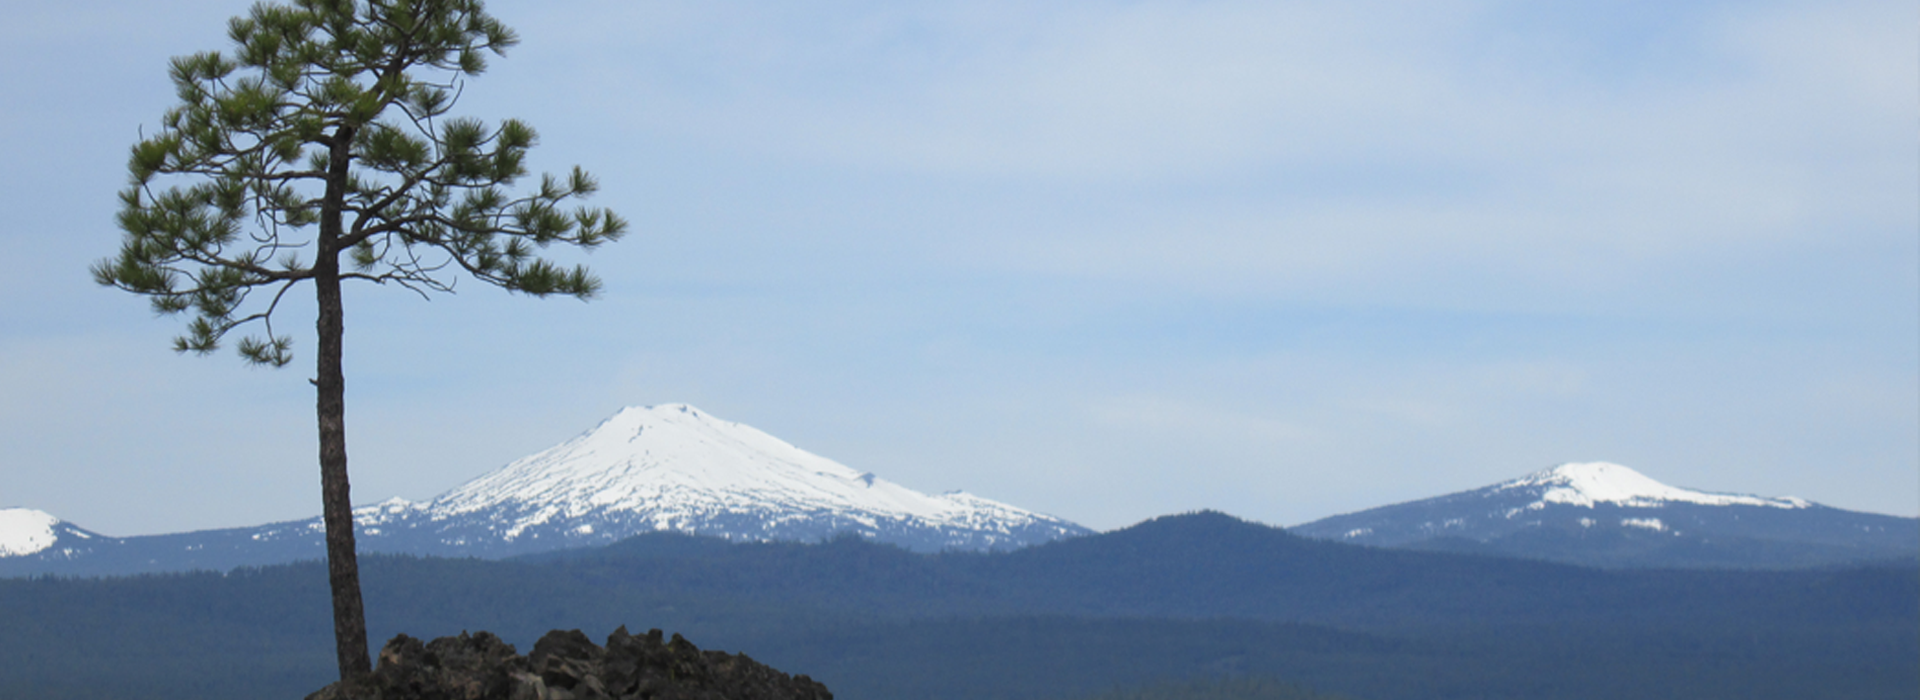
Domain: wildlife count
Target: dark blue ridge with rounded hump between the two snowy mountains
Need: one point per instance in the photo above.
(1211, 565)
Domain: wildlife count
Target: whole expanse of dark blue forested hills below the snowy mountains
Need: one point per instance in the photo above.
(1164, 603)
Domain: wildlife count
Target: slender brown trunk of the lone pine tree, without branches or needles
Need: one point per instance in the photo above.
(331, 385)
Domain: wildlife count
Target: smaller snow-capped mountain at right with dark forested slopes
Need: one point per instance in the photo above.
(1608, 515)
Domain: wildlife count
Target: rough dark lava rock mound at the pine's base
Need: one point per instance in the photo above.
(569, 666)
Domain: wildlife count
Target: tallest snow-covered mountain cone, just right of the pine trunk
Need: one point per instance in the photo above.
(673, 467)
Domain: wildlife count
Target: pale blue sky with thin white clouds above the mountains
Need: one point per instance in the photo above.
(1103, 260)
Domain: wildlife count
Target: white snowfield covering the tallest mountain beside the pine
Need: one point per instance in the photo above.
(679, 467)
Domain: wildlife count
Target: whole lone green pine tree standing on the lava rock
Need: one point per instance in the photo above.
(325, 137)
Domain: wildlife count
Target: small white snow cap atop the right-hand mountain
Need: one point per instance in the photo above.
(1587, 484)
